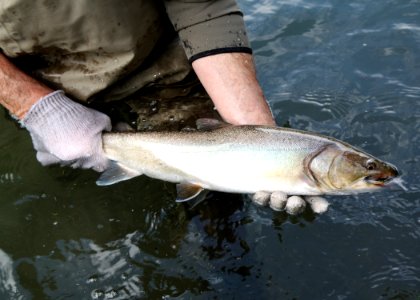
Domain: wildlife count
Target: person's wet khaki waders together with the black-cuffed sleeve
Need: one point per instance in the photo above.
(110, 49)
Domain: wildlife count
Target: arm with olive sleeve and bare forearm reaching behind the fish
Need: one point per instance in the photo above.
(215, 42)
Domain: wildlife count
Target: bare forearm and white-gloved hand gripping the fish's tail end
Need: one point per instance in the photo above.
(62, 130)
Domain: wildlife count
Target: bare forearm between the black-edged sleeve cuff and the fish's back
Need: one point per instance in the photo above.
(230, 80)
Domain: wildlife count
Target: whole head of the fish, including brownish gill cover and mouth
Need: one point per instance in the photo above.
(344, 170)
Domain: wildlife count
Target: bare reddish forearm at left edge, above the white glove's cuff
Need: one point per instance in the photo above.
(18, 91)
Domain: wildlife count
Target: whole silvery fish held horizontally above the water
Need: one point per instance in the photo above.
(244, 159)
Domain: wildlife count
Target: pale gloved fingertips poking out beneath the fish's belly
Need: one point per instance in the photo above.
(293, 205)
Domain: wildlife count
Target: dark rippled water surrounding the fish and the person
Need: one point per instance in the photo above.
(349, 69)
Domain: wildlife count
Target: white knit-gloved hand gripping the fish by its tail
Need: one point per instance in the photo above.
(66, 132)
